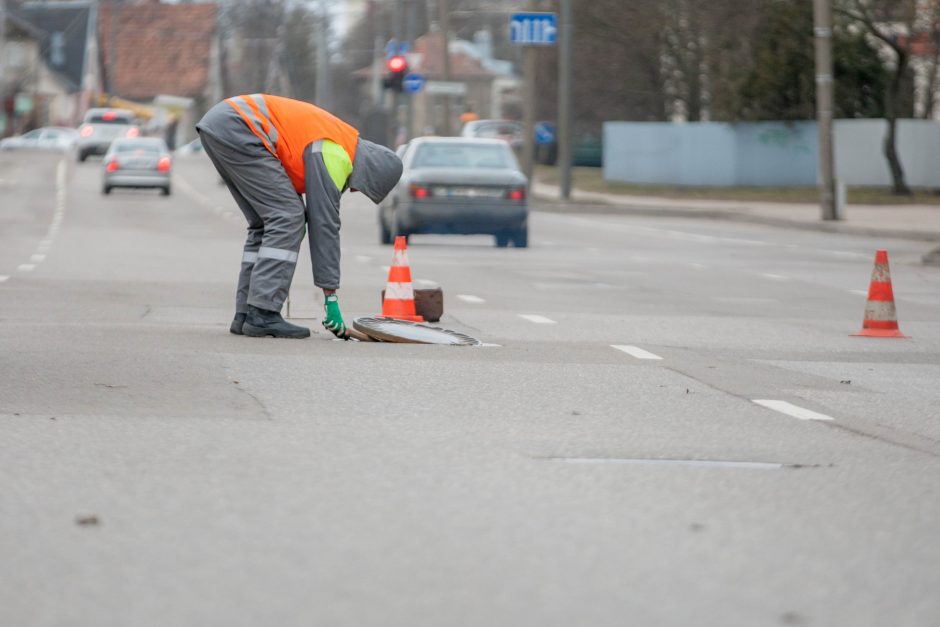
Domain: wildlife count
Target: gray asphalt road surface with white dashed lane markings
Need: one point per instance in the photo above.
(608, 463)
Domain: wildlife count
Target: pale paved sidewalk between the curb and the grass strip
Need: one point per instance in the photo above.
(916, 222)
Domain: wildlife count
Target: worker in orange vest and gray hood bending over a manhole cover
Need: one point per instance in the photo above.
(269, 150)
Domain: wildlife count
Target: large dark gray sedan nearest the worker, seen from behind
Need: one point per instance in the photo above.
(458, 185)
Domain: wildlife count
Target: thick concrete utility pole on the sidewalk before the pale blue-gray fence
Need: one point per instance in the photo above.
(822, 22)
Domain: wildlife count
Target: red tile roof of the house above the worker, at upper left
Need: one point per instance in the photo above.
(161, 48)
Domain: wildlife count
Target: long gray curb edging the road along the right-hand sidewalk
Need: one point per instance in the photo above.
(553, 205)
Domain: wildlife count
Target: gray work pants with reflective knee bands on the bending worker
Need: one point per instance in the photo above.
(275, 214)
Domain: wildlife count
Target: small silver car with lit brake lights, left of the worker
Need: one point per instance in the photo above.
(139, 162)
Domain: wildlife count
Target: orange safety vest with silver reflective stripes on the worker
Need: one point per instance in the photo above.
(286, 127)
